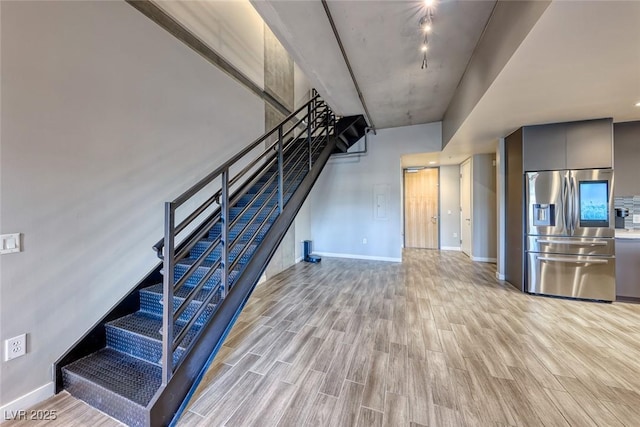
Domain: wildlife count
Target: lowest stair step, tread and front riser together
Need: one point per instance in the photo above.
(115, 383)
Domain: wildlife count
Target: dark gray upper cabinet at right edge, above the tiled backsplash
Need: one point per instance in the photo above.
(626, 158)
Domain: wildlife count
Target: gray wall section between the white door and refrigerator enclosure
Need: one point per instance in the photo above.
(483, 199)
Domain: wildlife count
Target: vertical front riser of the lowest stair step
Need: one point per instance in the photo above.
(111, 403)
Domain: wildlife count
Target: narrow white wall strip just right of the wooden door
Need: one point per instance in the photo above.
(450, 207)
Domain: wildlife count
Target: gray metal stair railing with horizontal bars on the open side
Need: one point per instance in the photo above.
(316, 122)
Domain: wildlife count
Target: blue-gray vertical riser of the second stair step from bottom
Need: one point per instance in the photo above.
(136, 345)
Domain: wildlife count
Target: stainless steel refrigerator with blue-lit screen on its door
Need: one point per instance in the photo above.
(570, 234)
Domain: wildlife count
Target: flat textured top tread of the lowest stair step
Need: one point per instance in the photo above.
(127, 376)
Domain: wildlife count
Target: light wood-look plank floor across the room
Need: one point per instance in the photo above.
(434, 341)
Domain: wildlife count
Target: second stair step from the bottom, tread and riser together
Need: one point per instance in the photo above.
(138, 335)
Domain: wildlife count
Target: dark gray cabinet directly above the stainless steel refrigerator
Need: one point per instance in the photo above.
(574, 145)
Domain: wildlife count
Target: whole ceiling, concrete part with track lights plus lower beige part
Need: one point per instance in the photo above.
(580, 60)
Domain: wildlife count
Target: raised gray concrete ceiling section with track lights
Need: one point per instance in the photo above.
(382, 40)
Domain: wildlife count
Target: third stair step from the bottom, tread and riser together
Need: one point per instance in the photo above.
(151, 301)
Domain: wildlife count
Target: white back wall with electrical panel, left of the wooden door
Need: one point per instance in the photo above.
(342, 201)
